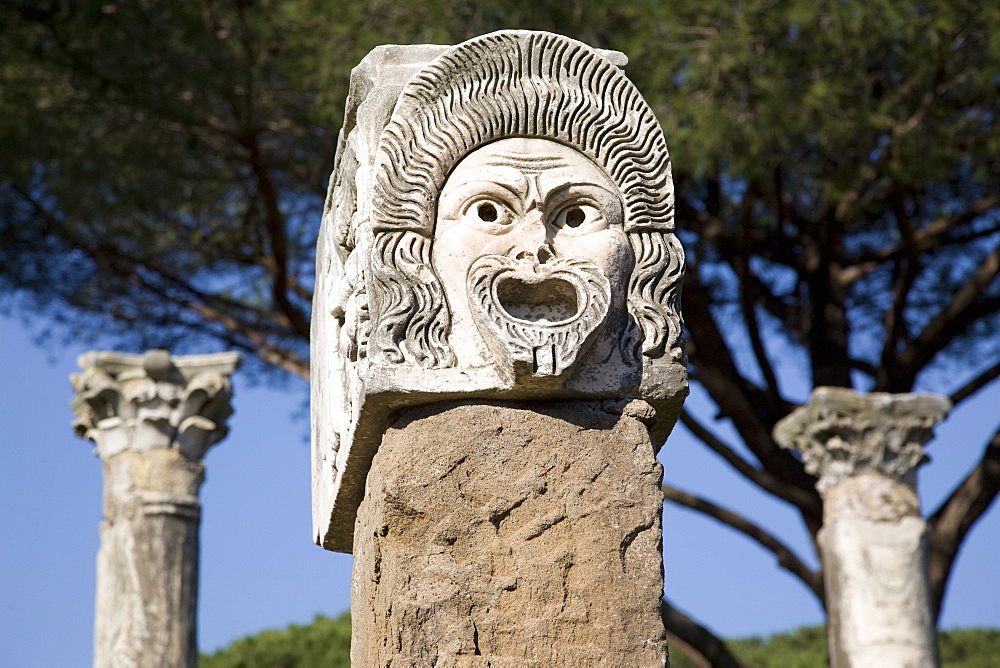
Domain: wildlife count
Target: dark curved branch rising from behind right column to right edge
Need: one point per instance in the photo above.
(953, 520)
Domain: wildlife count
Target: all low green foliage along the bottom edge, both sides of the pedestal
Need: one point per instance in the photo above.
(327, 643)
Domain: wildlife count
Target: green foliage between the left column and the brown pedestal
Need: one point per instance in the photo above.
(326, 642)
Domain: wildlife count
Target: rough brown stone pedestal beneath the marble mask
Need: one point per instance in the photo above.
(511, 535)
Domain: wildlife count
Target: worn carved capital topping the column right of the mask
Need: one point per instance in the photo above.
(842, 433)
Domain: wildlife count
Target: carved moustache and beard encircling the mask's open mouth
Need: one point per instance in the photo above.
(537, 318)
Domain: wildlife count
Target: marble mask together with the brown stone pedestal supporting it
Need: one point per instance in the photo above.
(499, 233)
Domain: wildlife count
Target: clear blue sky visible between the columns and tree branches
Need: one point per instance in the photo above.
(260, 569)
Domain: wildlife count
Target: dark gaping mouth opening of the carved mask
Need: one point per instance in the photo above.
(543, 301)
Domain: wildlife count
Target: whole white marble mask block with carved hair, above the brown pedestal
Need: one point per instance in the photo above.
(499, 225)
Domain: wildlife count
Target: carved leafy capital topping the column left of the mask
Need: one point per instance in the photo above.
(153, 400)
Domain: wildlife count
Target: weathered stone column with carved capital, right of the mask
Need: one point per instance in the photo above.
(866, 450)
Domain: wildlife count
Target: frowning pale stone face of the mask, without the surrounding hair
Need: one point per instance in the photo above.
(531, 251)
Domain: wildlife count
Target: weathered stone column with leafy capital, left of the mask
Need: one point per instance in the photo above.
(152, 418)
